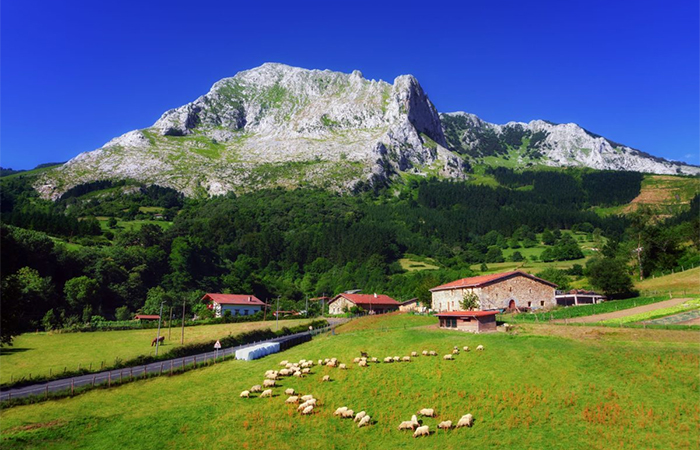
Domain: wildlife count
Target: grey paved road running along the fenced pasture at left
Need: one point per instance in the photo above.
(166, 366)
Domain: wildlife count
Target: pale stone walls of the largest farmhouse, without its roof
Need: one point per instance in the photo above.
(523, 290)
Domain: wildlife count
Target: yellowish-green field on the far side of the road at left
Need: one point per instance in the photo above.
(45, 353)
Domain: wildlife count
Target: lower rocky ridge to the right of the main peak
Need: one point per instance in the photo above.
(544, 143)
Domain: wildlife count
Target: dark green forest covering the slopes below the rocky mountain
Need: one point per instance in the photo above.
(70, 262)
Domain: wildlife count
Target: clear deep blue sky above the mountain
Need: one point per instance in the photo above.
(75, 74)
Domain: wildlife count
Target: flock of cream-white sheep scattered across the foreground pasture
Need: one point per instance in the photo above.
(307, 403)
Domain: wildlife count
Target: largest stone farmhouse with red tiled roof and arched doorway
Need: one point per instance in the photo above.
(509, 290)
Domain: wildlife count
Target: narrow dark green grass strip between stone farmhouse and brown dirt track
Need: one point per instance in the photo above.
(582, 310)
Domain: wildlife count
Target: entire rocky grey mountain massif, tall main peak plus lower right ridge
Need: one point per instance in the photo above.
(277, 125)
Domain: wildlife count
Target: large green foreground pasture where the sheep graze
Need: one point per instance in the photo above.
(528, 390)
